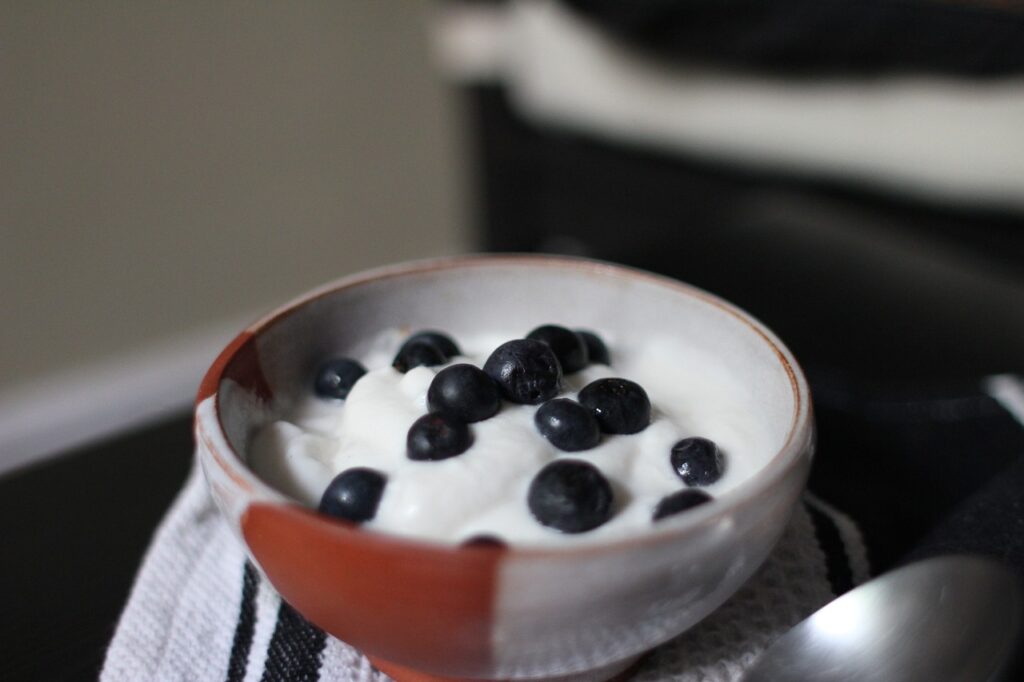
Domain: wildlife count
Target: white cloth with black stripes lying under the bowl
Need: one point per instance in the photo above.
(200, 611)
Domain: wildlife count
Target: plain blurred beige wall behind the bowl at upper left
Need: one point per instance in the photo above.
(164, 167)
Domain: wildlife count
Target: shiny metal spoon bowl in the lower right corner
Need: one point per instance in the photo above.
(943, 620)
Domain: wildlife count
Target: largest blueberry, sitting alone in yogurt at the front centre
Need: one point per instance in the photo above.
(571, 496)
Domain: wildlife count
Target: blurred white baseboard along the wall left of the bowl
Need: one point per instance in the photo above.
(74, 408)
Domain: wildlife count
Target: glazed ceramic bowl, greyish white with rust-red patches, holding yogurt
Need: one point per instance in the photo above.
(422, 610)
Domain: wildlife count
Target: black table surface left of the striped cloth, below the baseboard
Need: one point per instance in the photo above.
(75, 529)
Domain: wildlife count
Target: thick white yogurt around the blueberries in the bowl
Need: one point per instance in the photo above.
(484, 491)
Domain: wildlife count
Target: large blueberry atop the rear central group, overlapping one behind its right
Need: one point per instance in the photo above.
(527, 371)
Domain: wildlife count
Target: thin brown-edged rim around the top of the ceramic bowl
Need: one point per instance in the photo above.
(799, 441)
